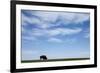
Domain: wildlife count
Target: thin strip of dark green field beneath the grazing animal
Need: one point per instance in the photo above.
(51, 60)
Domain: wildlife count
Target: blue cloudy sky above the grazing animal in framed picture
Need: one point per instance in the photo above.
(55, 34)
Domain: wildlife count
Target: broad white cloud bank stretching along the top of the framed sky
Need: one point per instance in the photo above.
(46, 17)
